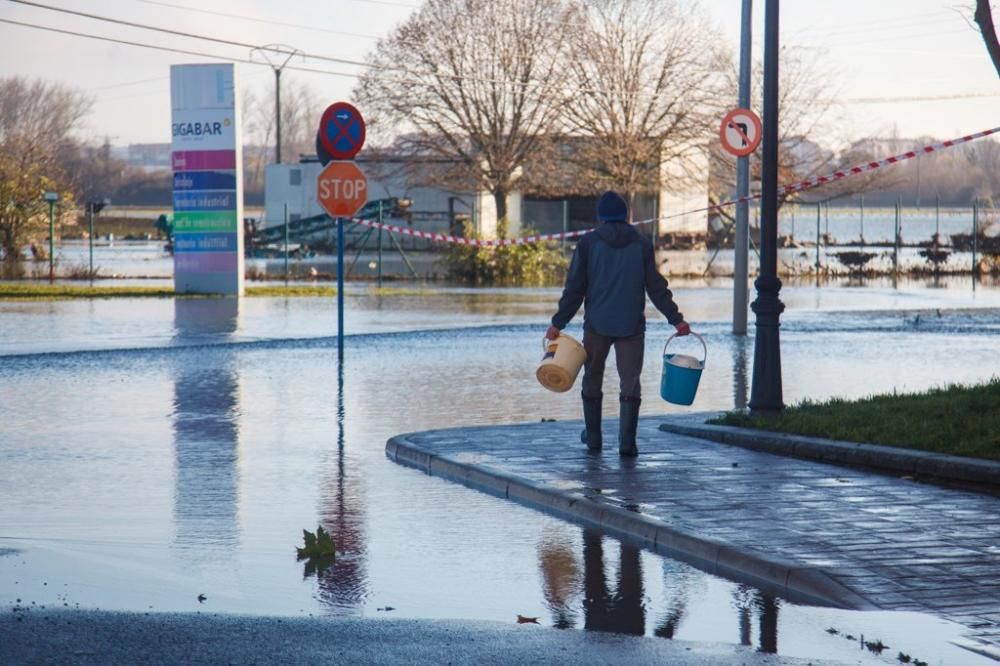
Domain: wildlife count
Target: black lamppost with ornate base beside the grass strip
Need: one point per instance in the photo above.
(766, 394)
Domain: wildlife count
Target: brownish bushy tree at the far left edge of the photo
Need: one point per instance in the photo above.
(36, 121)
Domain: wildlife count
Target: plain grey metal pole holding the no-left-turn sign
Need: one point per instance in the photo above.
(741, 269)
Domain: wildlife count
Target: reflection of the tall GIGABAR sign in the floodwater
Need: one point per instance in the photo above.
(206, 430)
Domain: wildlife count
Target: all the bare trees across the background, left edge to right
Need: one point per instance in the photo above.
(548, 96)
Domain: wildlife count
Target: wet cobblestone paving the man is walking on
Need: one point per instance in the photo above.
(902, 544)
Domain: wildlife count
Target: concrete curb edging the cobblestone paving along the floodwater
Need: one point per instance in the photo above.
(799, 583)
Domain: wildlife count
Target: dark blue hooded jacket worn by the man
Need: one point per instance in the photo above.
(613, 269)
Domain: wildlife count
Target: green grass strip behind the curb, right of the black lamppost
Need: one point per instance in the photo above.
(959, 420)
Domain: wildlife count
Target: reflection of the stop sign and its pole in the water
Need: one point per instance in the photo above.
(344, 586)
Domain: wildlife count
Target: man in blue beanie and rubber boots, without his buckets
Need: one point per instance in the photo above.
(612, 270)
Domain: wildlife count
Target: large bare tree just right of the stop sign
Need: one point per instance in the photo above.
(479, 83)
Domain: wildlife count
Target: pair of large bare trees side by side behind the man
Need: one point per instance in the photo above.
(505, 89)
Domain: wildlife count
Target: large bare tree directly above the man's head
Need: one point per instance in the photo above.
(648, 70)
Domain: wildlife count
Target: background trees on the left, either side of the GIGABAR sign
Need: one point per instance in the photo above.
(41, 150)
